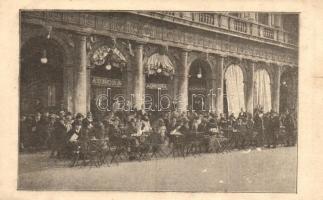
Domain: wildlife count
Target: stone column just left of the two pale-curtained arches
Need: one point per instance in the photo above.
(219, 92)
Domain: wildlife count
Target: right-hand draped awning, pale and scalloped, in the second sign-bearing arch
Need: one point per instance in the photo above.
(158, 63)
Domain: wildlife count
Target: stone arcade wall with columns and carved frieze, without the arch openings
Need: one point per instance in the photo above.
(138, 38)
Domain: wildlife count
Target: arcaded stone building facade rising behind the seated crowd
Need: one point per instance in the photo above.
(215, 61)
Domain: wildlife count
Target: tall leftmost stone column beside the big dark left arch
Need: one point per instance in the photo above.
(80, 86)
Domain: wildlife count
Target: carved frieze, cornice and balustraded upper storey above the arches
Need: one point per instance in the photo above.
(218, 33)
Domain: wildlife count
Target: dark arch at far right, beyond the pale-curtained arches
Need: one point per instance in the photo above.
(288, 91)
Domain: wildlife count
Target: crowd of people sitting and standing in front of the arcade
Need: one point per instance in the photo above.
(54, 131)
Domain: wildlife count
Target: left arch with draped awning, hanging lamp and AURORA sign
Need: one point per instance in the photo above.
(107, 80)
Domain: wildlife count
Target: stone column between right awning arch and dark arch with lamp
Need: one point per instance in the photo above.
(183, 82)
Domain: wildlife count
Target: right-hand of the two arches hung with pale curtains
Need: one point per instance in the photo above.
(262, 90)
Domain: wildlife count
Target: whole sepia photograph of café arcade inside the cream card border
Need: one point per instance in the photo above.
(158, 101)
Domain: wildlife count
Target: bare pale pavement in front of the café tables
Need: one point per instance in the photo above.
(268, 170)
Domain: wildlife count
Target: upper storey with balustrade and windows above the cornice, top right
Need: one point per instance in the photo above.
(275, 28)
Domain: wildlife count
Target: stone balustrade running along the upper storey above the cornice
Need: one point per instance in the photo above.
(223, 21)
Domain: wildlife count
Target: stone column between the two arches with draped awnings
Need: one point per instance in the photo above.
(139, 81)
